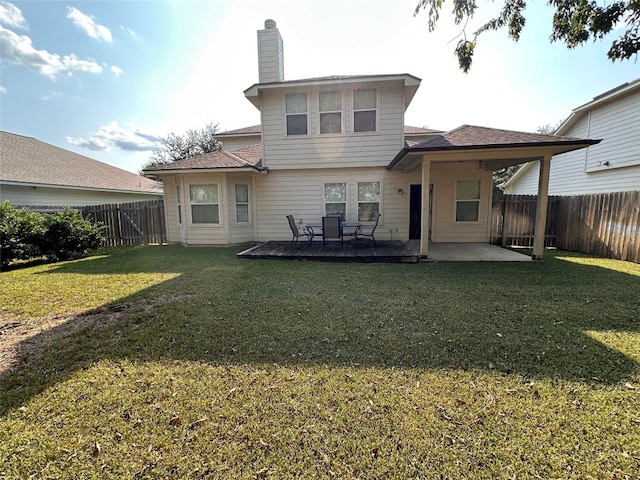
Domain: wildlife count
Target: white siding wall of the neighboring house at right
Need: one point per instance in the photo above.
(584, 171)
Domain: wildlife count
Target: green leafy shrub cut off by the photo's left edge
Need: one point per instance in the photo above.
(20, 233)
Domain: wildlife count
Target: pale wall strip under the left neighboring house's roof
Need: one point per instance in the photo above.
(66, 197)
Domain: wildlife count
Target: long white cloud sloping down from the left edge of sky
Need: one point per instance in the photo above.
(18, 49)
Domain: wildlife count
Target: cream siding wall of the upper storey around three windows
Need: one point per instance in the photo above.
(331, 150)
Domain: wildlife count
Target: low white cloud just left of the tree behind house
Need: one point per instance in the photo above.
(128, 138)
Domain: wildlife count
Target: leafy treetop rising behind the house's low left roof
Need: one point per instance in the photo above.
(178, 147)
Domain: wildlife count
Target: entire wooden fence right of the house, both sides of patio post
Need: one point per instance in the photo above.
(604, 225)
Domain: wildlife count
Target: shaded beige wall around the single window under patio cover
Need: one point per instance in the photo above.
(444, 228)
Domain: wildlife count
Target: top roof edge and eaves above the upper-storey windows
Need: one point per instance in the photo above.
(410, 82)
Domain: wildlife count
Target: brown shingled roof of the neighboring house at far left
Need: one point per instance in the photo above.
(28, 161)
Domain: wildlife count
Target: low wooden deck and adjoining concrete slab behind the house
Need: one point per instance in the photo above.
(383, 252)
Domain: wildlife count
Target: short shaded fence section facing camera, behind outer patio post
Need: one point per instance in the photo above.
(514, 217)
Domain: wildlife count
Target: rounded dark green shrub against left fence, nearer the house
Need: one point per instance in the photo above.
(68, 233)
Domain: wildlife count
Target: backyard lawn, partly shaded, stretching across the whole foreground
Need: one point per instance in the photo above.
(200, 365)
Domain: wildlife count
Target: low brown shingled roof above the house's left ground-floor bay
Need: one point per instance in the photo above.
(249, 158)
